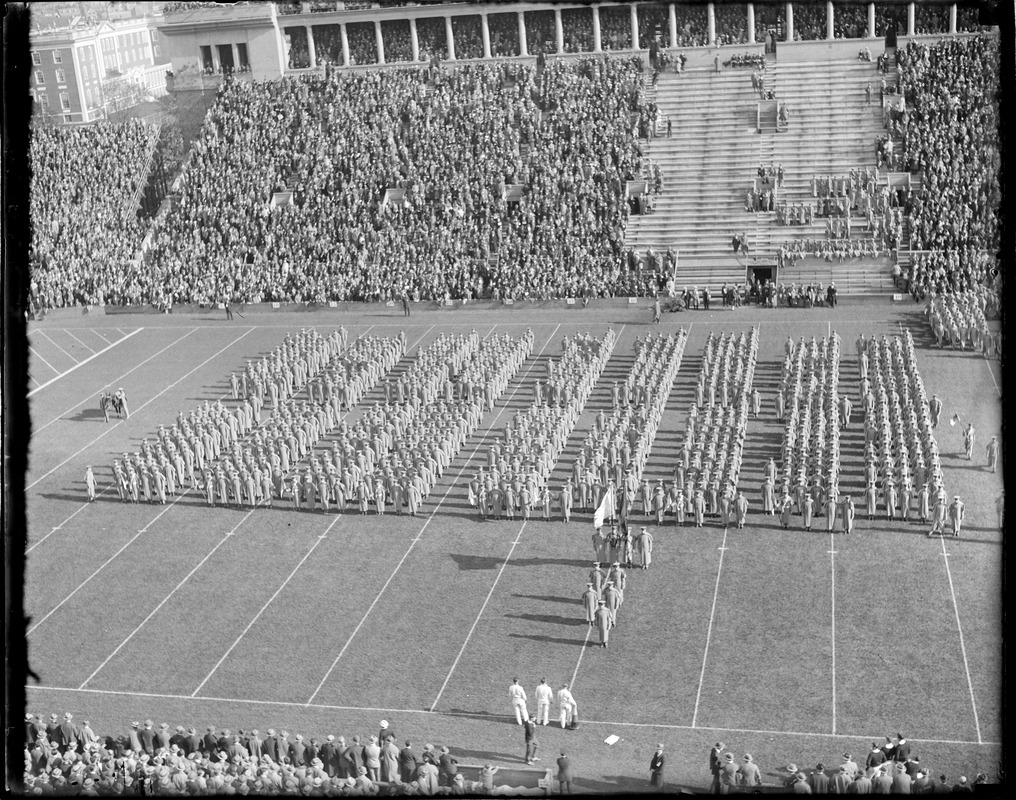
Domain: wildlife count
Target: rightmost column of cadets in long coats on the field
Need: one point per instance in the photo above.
(902, 456)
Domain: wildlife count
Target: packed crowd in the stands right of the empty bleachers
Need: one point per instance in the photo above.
(950, 135)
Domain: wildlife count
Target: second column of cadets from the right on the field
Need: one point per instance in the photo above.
(813, 413)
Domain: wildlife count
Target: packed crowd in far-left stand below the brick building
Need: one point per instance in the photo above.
(85, 235)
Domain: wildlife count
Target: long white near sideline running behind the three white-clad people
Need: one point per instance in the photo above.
(389, 710)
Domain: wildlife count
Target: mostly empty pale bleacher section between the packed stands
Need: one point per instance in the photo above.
(715, 153)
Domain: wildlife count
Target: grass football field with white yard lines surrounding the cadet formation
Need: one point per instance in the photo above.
(791, 646)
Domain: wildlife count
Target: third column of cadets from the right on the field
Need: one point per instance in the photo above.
(716, 429)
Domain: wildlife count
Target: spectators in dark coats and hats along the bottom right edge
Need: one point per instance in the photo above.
(891, 768)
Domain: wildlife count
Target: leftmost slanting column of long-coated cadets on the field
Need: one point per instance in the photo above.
(200, 440)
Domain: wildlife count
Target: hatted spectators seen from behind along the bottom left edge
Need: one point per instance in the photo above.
(63, 758)
